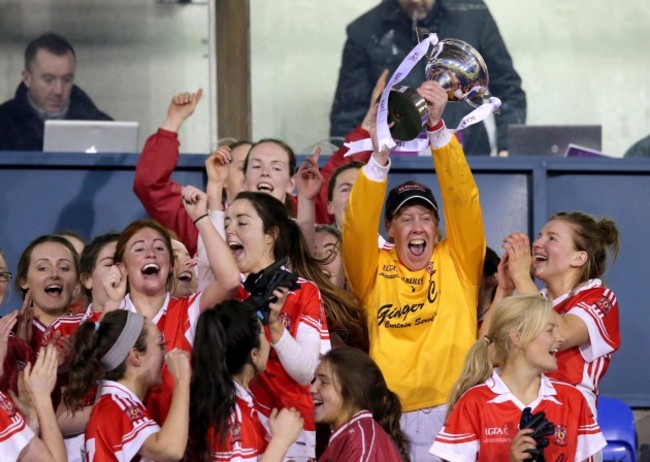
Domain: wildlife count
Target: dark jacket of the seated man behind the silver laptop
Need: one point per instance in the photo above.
(21, 129)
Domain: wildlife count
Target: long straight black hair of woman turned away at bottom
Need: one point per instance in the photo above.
(225, 337)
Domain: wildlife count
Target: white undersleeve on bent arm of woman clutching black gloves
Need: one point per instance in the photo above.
(299, 356)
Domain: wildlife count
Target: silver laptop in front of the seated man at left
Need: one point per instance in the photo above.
(90, 136)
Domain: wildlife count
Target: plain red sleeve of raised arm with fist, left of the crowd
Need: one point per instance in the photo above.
(159, 194)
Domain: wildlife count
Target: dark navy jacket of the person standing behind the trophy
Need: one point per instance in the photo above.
(382, 37)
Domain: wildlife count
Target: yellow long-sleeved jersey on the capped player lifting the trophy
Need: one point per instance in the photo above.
(421, 323)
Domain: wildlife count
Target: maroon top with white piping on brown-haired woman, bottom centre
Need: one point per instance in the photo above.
(361, 439)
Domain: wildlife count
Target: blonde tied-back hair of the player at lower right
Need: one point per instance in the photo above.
(525, 315)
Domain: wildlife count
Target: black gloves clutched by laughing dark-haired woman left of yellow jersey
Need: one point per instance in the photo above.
(261, 285)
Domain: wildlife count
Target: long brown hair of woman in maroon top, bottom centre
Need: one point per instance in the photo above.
(362, 386)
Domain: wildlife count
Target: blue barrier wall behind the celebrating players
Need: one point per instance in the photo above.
(93, 194)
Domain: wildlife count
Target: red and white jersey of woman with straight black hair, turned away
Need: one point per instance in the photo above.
(246, 438)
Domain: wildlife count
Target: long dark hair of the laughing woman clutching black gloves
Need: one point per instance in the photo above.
(341, 307)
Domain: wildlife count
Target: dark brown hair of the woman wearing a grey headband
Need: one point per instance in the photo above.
(91, 343)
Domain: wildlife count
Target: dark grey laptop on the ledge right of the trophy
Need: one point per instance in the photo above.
(551, 140)
